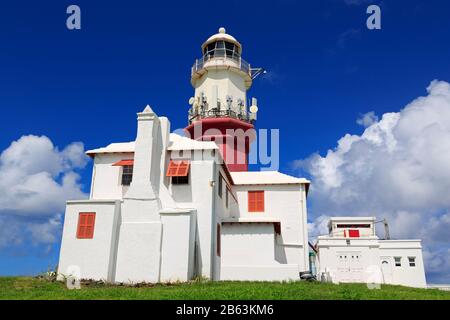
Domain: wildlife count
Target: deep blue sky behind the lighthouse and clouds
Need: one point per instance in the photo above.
(325, 70)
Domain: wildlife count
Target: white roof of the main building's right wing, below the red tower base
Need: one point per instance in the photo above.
(265, 177)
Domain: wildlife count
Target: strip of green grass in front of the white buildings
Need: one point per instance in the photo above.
(20, 288)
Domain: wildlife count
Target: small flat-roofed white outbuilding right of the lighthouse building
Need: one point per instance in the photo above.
(353, 253)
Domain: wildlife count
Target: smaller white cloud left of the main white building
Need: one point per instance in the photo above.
(35, 181)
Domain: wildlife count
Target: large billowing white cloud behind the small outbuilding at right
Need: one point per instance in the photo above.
(399, 168)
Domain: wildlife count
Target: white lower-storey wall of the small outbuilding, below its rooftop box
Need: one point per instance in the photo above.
(361, 260)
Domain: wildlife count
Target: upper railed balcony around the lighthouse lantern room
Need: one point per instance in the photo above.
(220, 58)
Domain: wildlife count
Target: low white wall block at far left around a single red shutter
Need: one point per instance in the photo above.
(94, 257)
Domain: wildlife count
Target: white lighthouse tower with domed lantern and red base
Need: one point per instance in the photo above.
(220, 110)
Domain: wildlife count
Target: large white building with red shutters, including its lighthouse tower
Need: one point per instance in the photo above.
(166, 207)
